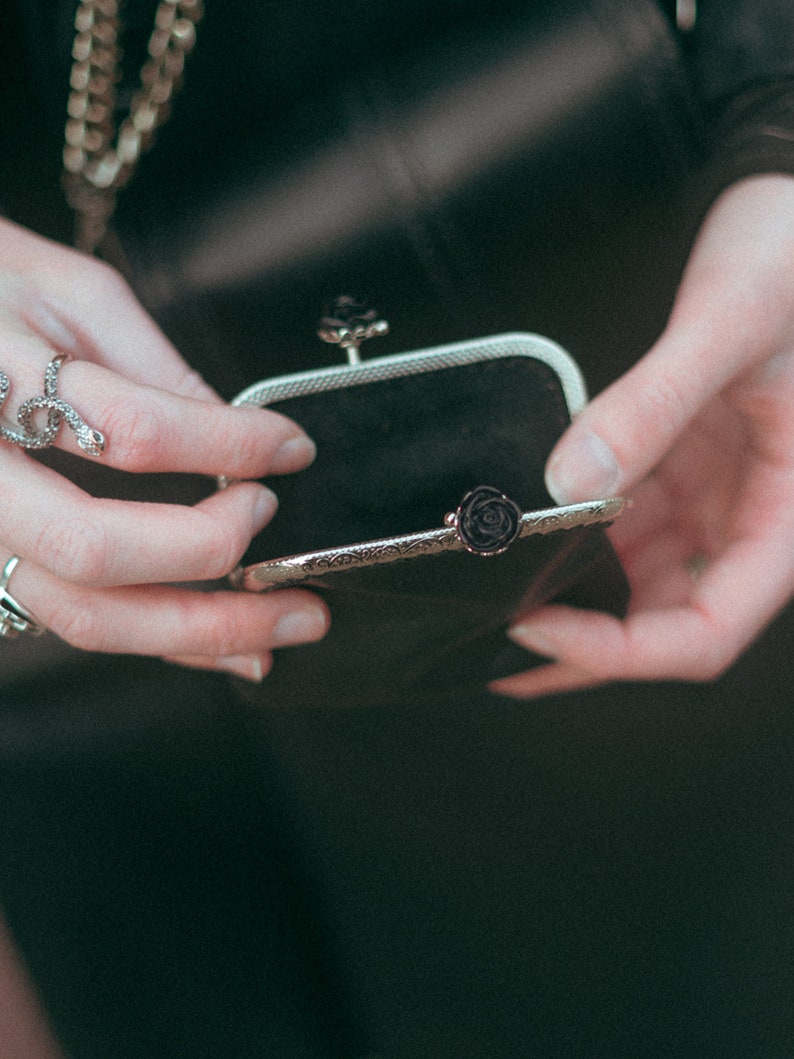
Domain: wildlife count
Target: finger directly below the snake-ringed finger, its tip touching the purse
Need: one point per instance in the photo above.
(89, 541)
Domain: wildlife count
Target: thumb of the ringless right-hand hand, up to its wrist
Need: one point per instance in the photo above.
(735, 310)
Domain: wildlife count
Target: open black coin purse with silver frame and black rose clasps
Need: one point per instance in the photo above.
(425, 523)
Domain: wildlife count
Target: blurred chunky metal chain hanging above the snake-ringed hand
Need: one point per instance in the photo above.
(99, 161)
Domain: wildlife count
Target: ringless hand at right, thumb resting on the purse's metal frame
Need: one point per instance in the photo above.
(701, 432)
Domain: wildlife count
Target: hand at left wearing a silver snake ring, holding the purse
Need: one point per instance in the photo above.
(97, 571)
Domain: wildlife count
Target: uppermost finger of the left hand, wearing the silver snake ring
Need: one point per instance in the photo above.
(149, 429)
